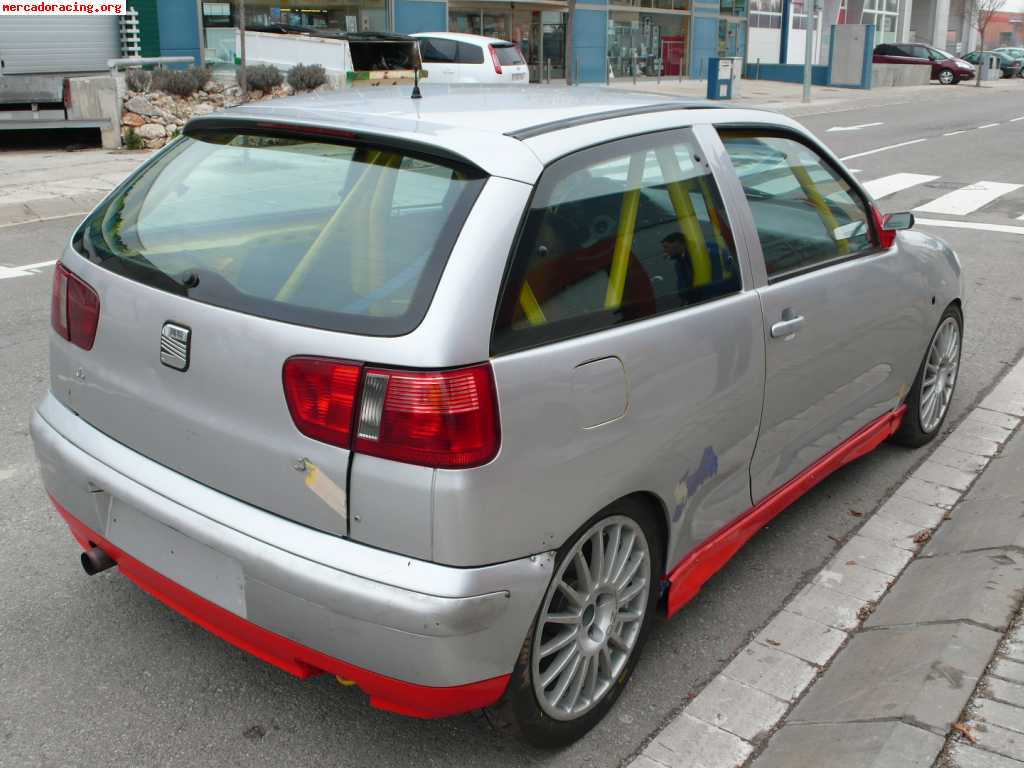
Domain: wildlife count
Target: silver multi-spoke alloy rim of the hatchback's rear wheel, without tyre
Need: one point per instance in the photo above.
(591, 618)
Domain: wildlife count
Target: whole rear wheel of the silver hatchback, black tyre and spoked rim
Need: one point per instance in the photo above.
(561, 720)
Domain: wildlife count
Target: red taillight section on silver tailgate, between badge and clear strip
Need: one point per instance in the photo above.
(321, 395)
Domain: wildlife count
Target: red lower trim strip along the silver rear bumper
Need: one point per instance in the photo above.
(386, 693)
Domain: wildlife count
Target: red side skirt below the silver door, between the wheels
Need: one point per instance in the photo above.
(694, 571)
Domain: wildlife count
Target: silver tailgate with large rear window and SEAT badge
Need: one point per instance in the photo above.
(233, 251)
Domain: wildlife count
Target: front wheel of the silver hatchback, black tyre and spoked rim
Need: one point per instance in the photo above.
(921, 424)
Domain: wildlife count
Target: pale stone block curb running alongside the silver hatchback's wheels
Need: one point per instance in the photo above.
(738, 713)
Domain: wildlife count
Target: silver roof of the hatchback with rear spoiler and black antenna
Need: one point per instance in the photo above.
(509, 132)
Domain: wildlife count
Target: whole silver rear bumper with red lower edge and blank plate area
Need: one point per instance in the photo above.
(419, 638)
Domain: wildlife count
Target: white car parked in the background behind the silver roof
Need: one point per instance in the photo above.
(457, 58)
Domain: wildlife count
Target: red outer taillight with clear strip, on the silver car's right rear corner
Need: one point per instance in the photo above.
(446, 419)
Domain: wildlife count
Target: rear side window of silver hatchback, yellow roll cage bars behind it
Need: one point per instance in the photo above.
(617, 234)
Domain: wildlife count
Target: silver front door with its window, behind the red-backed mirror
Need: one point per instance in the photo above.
(841, 321)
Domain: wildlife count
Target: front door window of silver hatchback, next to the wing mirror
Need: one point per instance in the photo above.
(805, 212)
